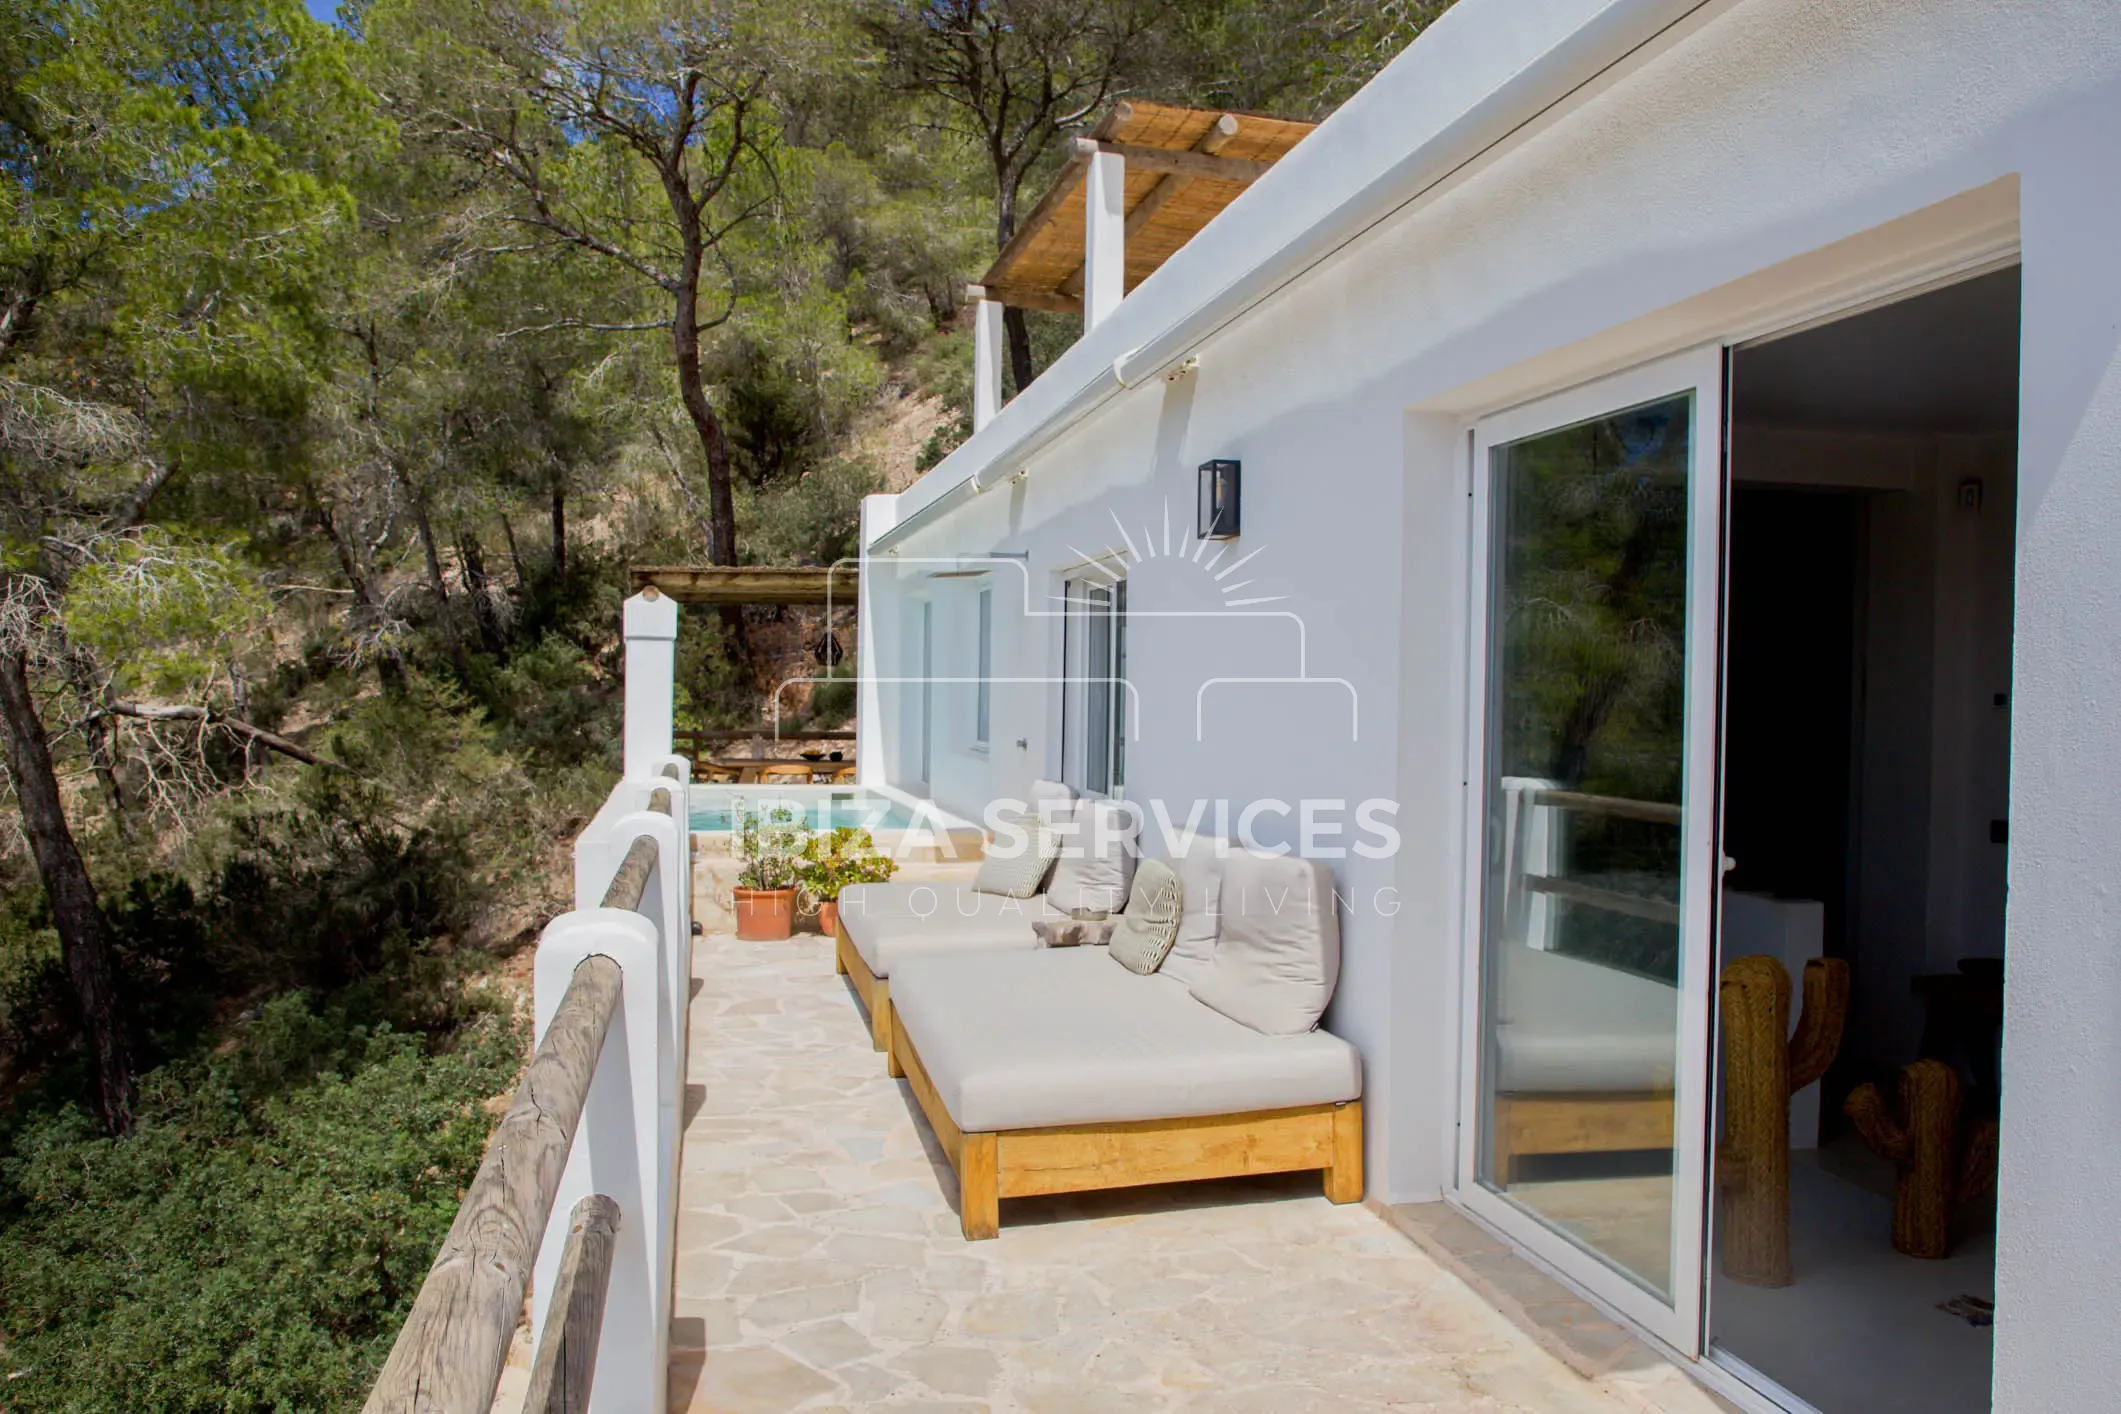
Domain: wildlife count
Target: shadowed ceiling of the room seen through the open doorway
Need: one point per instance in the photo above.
(1938, 364)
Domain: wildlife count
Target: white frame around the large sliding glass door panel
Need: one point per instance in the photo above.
(1700, 372)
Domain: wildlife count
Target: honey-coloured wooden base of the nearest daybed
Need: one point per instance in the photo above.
(1091, 1156)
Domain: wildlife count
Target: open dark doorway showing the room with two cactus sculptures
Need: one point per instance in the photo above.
(1868, 654)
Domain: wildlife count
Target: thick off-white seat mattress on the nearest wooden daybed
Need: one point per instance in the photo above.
(1036, 1040)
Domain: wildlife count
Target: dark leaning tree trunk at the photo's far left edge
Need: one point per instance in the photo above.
(84, 934)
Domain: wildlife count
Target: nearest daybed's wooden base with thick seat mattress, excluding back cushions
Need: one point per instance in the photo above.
(1059, 1072)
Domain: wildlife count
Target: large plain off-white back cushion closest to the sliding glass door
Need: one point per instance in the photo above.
(1280, 951)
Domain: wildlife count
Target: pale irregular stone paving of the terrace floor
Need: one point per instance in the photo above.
(822, 1267)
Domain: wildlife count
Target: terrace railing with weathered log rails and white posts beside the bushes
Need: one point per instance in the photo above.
(595, 1114)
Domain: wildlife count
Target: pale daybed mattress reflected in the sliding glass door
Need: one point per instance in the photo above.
(1573, 1027)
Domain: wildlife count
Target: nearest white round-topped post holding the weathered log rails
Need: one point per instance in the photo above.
(618, 1152)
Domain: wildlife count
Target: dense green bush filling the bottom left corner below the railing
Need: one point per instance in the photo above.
(260, 1237)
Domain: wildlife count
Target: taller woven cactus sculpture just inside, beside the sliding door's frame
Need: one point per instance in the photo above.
(1764, 1067)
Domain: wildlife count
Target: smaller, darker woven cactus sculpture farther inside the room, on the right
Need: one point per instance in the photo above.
(1938, 1176)
